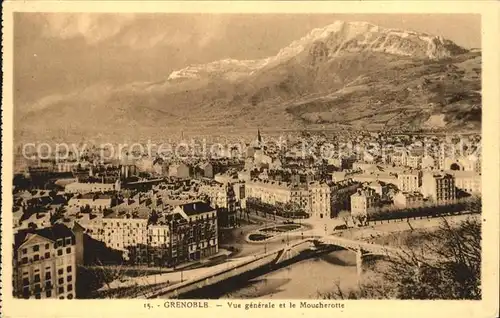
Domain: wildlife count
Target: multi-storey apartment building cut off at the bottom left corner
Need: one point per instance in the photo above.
(45, 263)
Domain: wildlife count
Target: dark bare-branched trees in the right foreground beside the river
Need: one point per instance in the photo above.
(446, 266)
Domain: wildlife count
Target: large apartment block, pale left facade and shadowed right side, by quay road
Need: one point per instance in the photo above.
(188, 232)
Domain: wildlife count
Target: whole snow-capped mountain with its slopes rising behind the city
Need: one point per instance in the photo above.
(345, 75)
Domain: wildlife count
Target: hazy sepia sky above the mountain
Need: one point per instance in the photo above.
(62, 53)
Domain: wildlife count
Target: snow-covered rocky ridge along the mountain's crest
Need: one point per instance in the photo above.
(340, 37)
